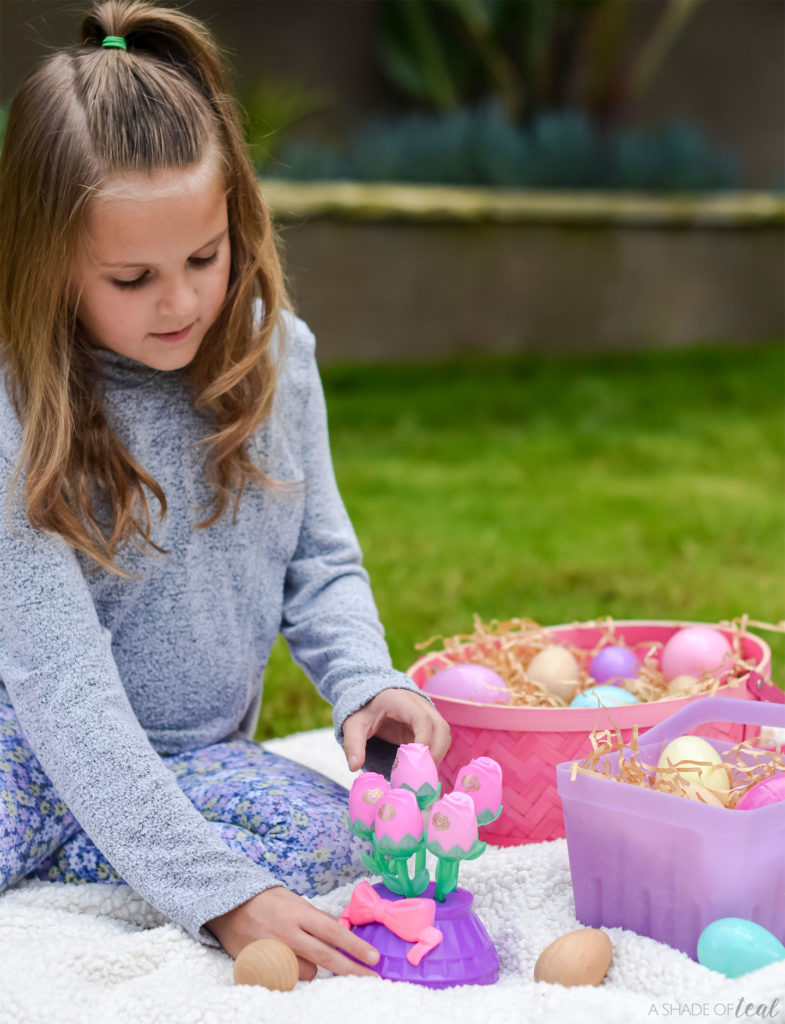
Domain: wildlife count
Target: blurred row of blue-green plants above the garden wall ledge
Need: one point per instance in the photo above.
(481, 146)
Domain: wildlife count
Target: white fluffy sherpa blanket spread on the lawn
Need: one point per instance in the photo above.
(99, 955)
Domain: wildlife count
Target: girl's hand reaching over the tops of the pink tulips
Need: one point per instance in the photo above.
(401, 717)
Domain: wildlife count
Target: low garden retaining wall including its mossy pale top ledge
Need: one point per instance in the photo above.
(384, 273)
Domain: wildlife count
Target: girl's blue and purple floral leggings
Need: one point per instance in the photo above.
(275, 812)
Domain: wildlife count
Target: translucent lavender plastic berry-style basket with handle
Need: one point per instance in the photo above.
(668, 868)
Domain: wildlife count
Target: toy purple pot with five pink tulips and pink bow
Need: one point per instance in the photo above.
(449, 938)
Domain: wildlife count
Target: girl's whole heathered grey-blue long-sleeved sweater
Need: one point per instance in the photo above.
(106, 674)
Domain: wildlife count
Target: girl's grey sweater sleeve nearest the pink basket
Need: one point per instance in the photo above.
(330, 619)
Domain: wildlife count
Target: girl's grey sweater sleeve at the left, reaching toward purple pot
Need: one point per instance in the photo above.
(58, 667)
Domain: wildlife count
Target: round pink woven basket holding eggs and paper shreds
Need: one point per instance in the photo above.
(530, 743)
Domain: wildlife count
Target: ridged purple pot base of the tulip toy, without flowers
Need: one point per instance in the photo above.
(465, 957)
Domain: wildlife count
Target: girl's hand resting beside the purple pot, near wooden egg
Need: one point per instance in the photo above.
(316, 937)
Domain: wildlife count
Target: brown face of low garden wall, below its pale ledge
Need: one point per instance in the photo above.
(407, 291)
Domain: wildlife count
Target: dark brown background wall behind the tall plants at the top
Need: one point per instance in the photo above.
(726, 72)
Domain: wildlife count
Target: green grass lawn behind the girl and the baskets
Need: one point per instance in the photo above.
(635, 486)
